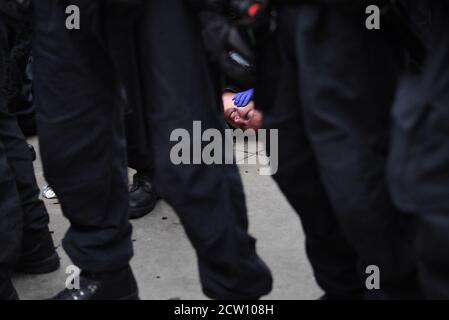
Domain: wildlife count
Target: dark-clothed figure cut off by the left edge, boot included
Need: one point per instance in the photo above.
(25, 242)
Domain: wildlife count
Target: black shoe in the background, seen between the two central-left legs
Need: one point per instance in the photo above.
(142, 198)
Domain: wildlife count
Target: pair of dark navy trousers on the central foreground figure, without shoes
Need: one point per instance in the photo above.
(82, 138)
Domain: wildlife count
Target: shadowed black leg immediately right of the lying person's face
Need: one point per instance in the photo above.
(333, 261)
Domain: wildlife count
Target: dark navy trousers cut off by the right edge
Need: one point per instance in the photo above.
(419, 162)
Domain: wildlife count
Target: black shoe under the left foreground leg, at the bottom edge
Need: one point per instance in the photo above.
(120, 285)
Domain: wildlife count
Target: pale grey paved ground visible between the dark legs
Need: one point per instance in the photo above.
(164, 261)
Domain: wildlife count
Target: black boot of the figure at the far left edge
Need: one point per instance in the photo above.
(38, 254)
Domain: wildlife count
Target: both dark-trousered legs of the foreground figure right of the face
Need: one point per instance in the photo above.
(336, 82)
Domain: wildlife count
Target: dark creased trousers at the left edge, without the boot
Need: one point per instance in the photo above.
(21, 211)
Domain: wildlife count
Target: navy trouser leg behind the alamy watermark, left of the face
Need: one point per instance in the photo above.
(208, 198)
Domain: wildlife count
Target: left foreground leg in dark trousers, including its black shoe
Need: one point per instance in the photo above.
(83, 147)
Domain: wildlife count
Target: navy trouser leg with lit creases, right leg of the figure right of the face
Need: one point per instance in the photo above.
(344, 78)
